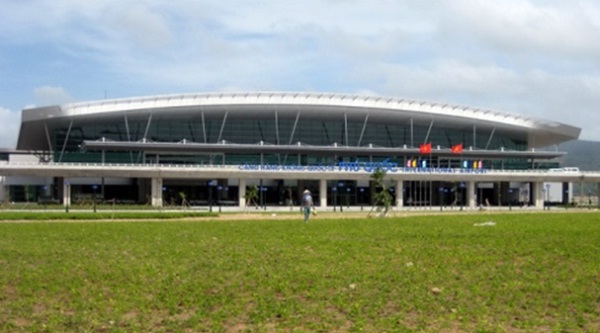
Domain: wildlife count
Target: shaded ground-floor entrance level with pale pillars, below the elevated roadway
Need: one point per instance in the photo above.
(338, 194)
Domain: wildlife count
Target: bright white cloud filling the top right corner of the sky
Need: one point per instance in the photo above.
(528, 28)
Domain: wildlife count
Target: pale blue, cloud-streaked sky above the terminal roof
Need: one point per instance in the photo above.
(536, 58)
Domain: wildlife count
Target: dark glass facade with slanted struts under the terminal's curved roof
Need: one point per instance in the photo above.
(277, 128)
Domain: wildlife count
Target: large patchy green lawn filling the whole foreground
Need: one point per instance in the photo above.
(528, 273)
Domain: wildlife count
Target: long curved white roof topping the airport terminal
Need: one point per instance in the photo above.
(540, 133)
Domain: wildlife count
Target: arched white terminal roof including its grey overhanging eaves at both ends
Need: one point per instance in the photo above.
(37, 123)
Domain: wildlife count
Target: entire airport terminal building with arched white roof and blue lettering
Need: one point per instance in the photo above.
(210, 148)
